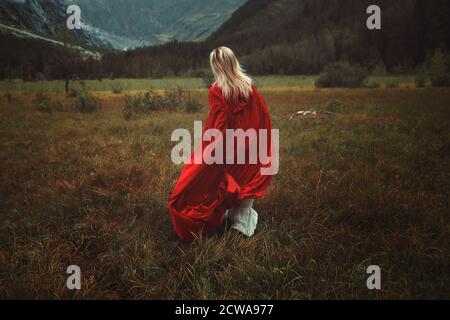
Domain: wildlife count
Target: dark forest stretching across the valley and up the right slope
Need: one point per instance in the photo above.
(270, 37)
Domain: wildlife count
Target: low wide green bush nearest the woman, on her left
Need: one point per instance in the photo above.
(145, 103)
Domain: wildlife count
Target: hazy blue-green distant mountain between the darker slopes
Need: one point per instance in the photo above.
(183, 20)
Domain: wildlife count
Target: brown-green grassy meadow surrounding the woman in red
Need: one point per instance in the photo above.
(367, 185)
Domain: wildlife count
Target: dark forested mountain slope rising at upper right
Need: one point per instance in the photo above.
(303, 35)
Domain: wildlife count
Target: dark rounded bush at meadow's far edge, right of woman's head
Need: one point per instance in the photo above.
(342, 74)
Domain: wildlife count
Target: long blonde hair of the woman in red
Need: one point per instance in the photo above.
(229, 74)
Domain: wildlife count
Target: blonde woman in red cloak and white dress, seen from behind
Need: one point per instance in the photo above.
(206, 195)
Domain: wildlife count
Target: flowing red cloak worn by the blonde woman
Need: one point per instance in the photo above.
(204, 192)
